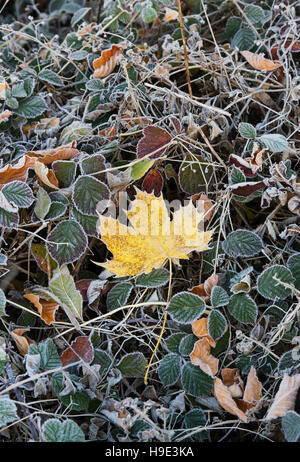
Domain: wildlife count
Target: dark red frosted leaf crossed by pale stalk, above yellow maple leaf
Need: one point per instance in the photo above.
(154, 139)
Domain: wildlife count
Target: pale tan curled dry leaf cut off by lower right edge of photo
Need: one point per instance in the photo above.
(285, 398)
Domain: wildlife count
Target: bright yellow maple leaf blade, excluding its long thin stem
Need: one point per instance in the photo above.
(152, 237)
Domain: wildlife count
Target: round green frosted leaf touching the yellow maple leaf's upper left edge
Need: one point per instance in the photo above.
(90, 195)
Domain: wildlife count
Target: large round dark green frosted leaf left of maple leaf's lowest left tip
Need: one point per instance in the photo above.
(67, 242)
